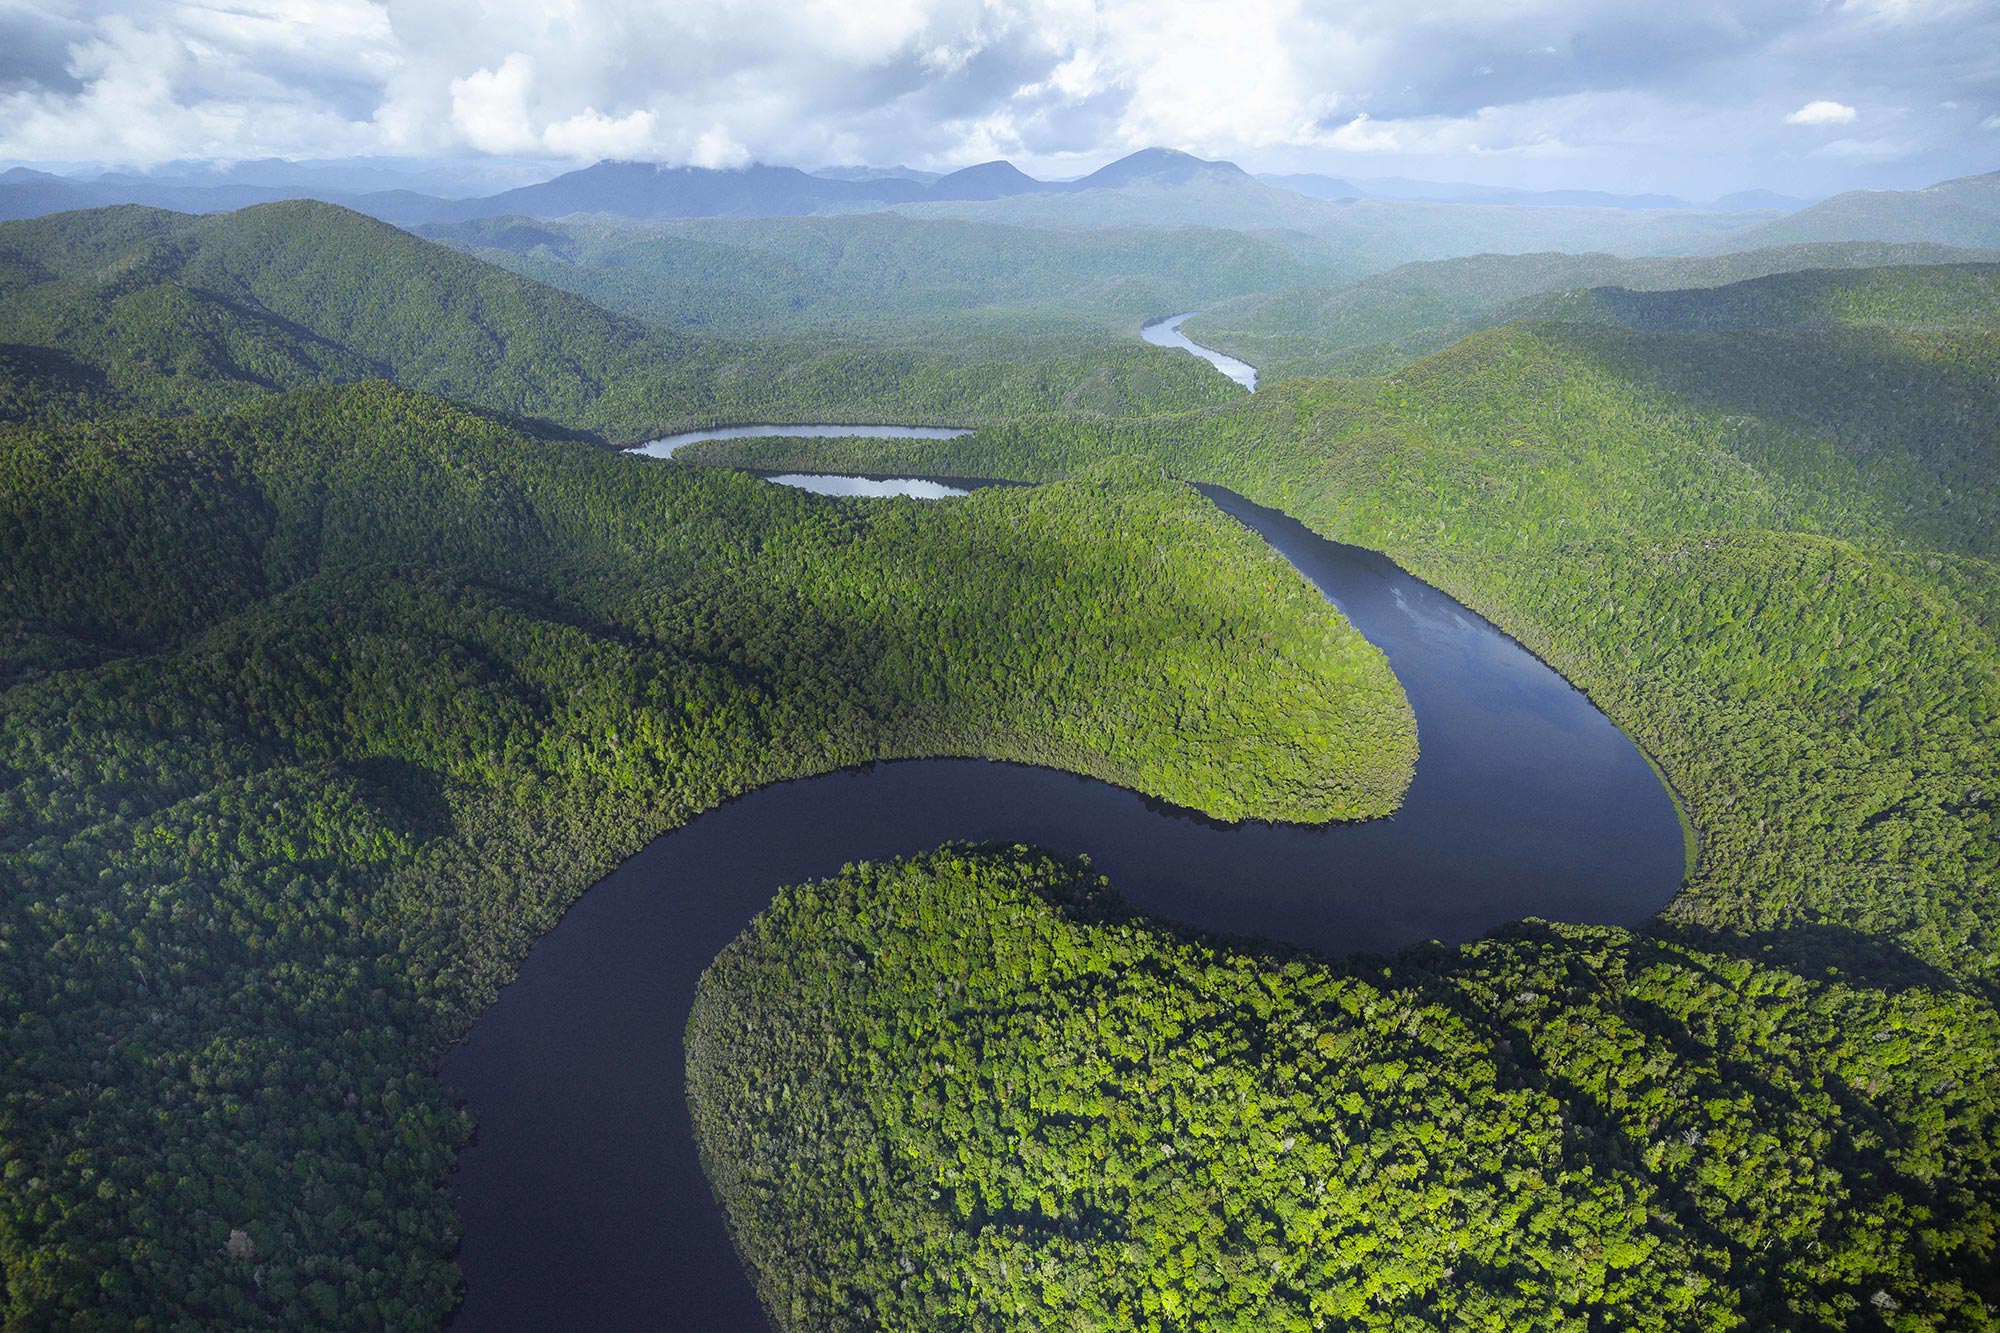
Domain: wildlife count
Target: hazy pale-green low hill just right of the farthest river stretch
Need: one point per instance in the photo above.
(1391, 319)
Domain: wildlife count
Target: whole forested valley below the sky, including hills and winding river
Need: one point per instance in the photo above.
(735, 748)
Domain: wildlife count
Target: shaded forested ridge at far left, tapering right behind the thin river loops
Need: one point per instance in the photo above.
(133, 311)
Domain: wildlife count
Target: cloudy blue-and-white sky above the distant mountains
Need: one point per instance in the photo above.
(1687, 97)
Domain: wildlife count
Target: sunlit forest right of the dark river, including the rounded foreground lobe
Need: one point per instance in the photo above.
(1771, 561)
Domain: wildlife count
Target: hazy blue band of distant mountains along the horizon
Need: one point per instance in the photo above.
(1359, 225)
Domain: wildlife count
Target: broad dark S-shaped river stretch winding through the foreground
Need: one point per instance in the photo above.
(583, 1200)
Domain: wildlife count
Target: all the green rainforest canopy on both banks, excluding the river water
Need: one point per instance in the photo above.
(325, 696)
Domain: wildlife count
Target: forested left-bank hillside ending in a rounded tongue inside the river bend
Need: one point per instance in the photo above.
(319, 714)
